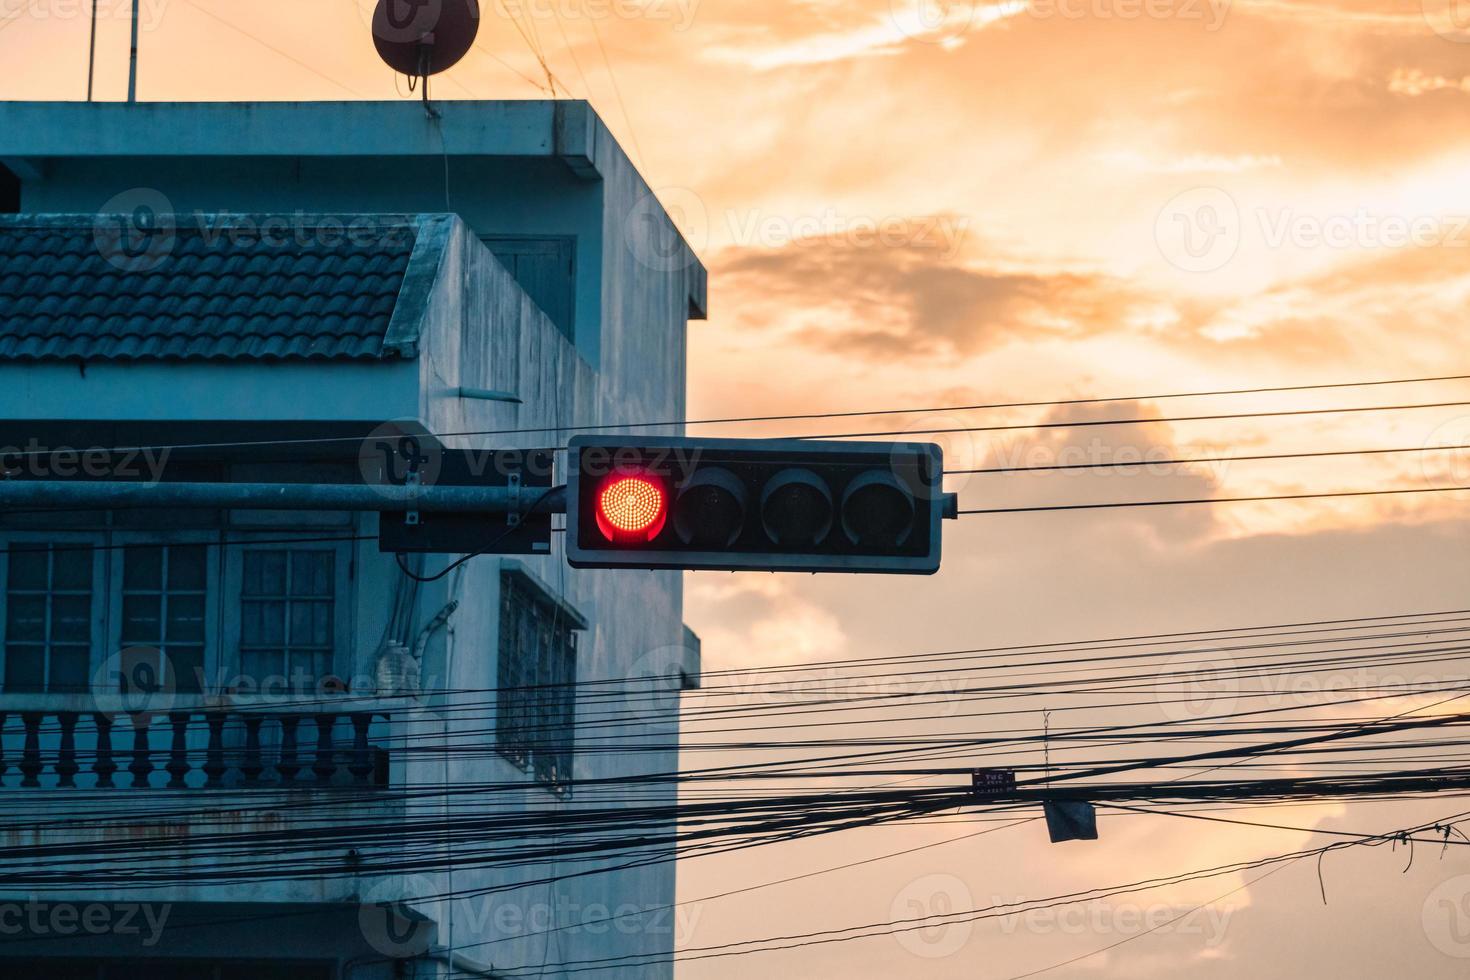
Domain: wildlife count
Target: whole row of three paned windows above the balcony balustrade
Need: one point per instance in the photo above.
(193, 616)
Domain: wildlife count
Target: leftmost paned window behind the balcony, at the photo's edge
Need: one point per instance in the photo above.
(49, 616)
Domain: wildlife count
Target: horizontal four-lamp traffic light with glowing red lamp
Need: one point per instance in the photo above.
(755, 505)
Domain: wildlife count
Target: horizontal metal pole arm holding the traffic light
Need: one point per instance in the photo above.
(101, 496)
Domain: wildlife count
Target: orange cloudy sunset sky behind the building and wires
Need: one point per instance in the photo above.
(919, 205)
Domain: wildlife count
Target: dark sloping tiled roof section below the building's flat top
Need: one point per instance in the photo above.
(205, 289)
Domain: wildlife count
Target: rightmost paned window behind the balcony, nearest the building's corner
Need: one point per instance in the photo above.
(287, 605)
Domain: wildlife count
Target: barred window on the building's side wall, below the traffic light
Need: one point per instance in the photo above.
(537, 677)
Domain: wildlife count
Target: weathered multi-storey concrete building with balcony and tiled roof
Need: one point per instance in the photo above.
(312, 787)
